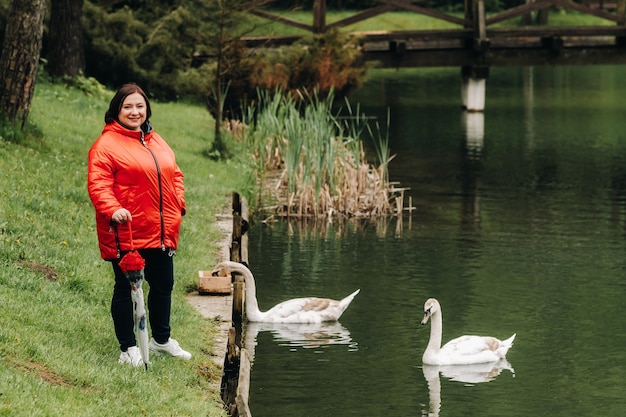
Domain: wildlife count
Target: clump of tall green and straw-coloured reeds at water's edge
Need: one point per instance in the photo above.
(310, 160)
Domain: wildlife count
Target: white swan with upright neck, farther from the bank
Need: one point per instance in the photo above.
(464, 350)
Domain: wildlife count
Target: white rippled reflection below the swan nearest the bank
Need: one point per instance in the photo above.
(300, 335)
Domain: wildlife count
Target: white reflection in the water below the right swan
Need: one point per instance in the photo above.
(468, 374)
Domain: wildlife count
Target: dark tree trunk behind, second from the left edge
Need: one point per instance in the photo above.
(66, 55)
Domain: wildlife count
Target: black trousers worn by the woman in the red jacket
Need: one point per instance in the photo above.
(159, 273)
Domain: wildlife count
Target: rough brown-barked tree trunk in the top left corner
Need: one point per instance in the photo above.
(20, 58)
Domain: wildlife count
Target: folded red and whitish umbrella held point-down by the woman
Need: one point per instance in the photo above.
(132, 264)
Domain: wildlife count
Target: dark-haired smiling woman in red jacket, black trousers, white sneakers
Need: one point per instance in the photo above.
(134, 181)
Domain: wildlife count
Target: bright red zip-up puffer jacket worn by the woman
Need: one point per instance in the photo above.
(138, 172)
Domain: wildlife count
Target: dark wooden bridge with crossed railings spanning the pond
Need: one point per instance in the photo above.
(480, 41)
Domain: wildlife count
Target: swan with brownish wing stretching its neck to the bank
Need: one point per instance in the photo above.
(297, 310)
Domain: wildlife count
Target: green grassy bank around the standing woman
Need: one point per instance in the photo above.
(58, 352)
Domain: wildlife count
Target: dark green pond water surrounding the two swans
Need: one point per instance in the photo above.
(519, 227)
